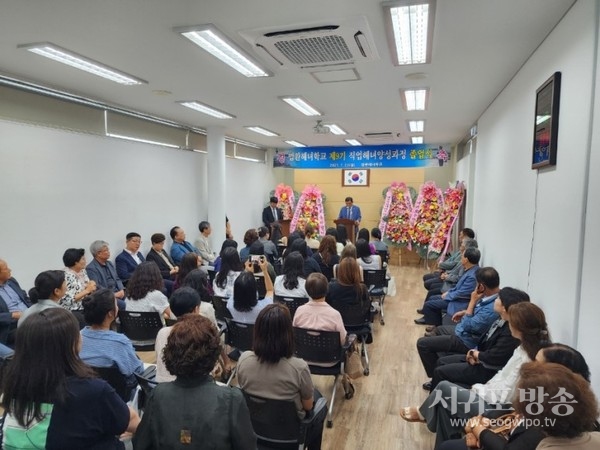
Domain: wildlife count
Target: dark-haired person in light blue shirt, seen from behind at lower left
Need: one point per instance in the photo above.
(102, 347)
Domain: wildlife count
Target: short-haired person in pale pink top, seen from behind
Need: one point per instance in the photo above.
(317, 314)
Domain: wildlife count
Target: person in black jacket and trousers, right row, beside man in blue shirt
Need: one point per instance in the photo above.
(490, 354)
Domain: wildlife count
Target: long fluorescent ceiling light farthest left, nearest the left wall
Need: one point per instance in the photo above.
(72, 59)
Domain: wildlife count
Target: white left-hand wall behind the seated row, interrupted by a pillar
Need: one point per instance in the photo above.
(61, 189)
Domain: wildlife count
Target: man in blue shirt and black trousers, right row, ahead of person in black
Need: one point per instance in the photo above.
(473, 322)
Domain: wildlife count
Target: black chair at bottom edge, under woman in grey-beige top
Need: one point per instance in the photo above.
(276, 422)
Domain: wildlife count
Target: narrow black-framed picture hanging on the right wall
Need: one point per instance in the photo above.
(545, 135)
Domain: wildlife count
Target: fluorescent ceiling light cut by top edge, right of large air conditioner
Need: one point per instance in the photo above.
(412, 30)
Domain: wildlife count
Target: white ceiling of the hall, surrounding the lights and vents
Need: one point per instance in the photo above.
(478, 46)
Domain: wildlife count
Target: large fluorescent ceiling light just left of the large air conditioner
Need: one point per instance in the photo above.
(217, 44)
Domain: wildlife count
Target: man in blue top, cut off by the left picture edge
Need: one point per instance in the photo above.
(13, 301)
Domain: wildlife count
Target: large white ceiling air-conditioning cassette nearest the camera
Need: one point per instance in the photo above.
(317, 45)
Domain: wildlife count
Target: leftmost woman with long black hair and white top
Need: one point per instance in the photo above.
(144, 291)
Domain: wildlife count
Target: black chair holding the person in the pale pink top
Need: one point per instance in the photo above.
(315, 346)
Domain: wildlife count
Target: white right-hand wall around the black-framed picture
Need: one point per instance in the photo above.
(530, 222)
